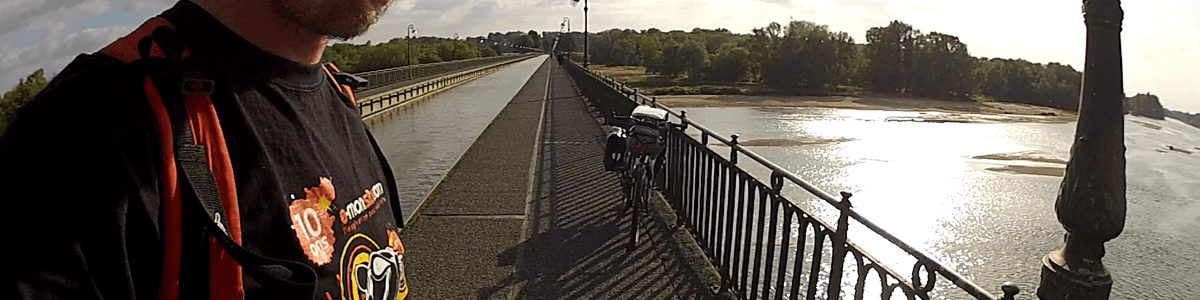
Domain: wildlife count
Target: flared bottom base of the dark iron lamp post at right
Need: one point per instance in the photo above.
(1061, 283)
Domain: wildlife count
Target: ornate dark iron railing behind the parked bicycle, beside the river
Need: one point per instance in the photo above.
(766, 245)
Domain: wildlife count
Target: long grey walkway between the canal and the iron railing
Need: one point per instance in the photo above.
(511, 223)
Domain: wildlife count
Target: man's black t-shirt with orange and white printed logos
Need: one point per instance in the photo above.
(81, 173)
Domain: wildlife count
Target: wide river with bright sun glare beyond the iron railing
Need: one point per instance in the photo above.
(980, 197)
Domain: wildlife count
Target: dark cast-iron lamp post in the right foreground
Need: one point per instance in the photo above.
(1091, 202)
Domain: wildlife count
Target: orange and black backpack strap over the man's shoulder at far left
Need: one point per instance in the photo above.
(194, 146)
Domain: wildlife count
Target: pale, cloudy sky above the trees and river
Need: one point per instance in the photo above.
(1161, 39)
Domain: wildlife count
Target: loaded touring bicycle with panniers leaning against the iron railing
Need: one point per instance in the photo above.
(635, 149)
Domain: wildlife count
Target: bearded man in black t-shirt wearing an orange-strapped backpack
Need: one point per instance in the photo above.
(97, 208)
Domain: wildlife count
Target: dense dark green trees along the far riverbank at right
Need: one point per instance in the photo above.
(806, 57)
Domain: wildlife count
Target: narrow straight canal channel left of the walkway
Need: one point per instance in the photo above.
(423, 141)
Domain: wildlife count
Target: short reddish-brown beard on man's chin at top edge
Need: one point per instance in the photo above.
(339, 19)
